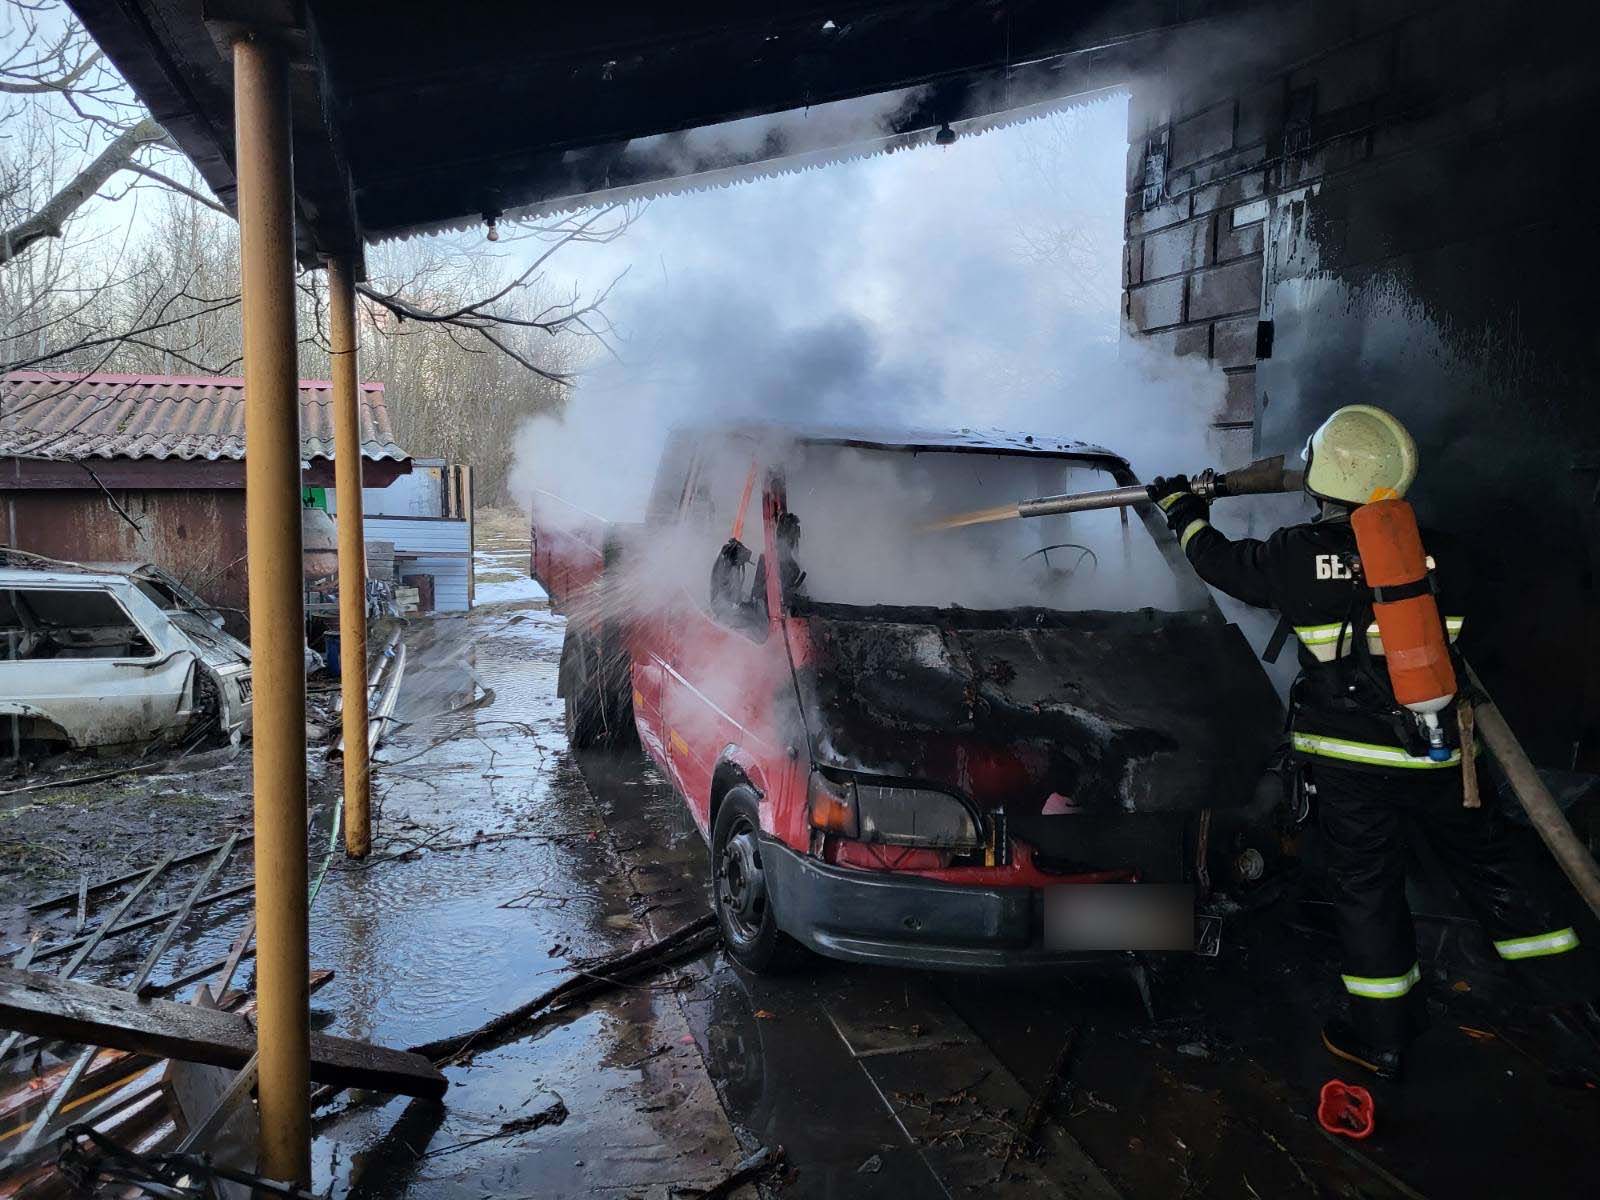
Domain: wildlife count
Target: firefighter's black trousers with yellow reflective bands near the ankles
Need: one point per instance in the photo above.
(1364, 823)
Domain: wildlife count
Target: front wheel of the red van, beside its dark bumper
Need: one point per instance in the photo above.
(745, 910)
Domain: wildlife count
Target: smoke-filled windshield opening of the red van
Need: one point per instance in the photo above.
(865, 538)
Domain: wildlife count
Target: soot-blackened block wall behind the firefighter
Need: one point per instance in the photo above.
(1396, 204)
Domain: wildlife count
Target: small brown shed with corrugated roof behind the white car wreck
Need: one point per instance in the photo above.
(153, 468)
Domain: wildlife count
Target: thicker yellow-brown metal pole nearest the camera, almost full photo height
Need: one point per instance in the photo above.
(278, 617)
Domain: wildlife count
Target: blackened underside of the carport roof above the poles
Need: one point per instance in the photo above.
(418, 116)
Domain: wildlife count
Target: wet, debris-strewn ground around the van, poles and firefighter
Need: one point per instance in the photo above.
(503, 860)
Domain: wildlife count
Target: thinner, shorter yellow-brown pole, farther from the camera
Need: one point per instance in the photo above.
(353, 553)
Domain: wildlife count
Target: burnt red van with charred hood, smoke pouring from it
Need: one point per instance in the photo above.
(1009, 745)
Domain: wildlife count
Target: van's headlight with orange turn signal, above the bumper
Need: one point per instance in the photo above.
(892, 815)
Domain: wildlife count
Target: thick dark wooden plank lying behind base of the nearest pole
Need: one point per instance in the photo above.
(105, 1017)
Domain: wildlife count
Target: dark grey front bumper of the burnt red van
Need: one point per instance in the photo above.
(908, 921)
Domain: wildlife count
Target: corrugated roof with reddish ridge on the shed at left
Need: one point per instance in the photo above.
(162, 417)
